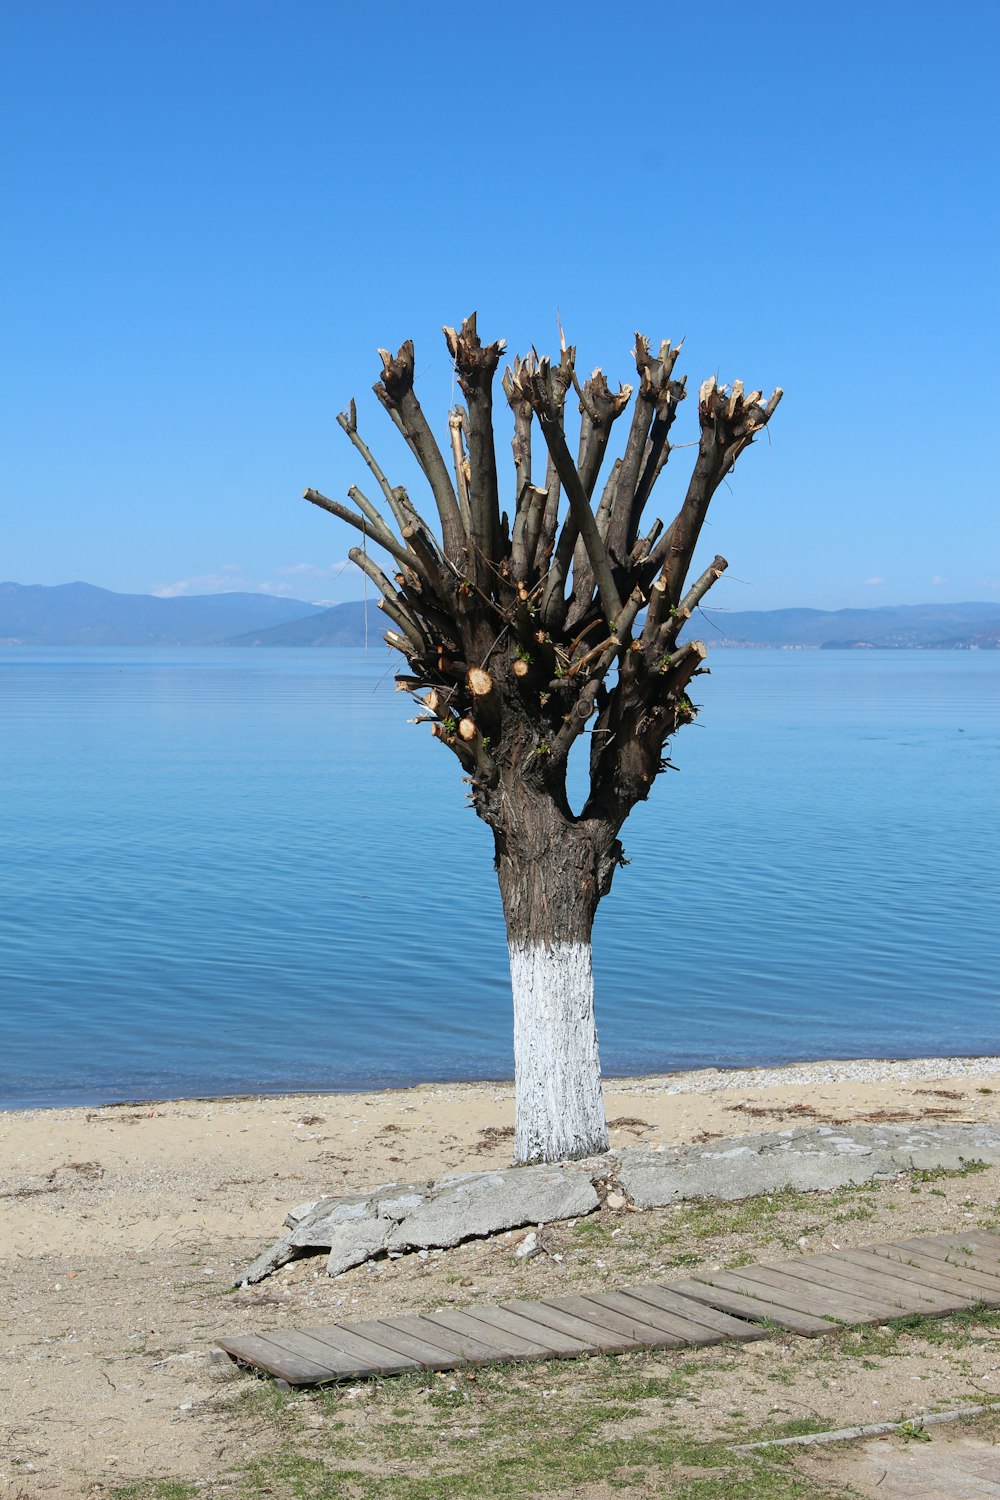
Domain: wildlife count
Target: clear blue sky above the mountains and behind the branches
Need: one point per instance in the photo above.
(217, 211)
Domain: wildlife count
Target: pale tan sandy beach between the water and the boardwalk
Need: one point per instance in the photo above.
(125, 1228)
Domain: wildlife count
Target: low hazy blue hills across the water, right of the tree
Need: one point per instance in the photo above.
(891, 626)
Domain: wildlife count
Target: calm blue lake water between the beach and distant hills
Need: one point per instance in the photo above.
(242, 872)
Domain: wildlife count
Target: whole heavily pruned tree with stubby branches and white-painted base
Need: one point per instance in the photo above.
(524, 629)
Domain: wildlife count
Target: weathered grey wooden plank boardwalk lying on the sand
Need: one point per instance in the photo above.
(809, 1295)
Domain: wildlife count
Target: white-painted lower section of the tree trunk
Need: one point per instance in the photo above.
(557, 1067)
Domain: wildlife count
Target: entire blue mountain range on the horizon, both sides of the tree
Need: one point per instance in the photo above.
(83, 616)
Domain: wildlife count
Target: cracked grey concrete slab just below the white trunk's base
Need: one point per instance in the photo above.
(491, 1202)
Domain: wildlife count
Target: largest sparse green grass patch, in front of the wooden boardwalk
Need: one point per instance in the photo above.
(512, 1432)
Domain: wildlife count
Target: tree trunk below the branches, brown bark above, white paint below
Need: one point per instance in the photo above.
(548, 871)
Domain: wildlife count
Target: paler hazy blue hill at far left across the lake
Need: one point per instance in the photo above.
(83, 616)
